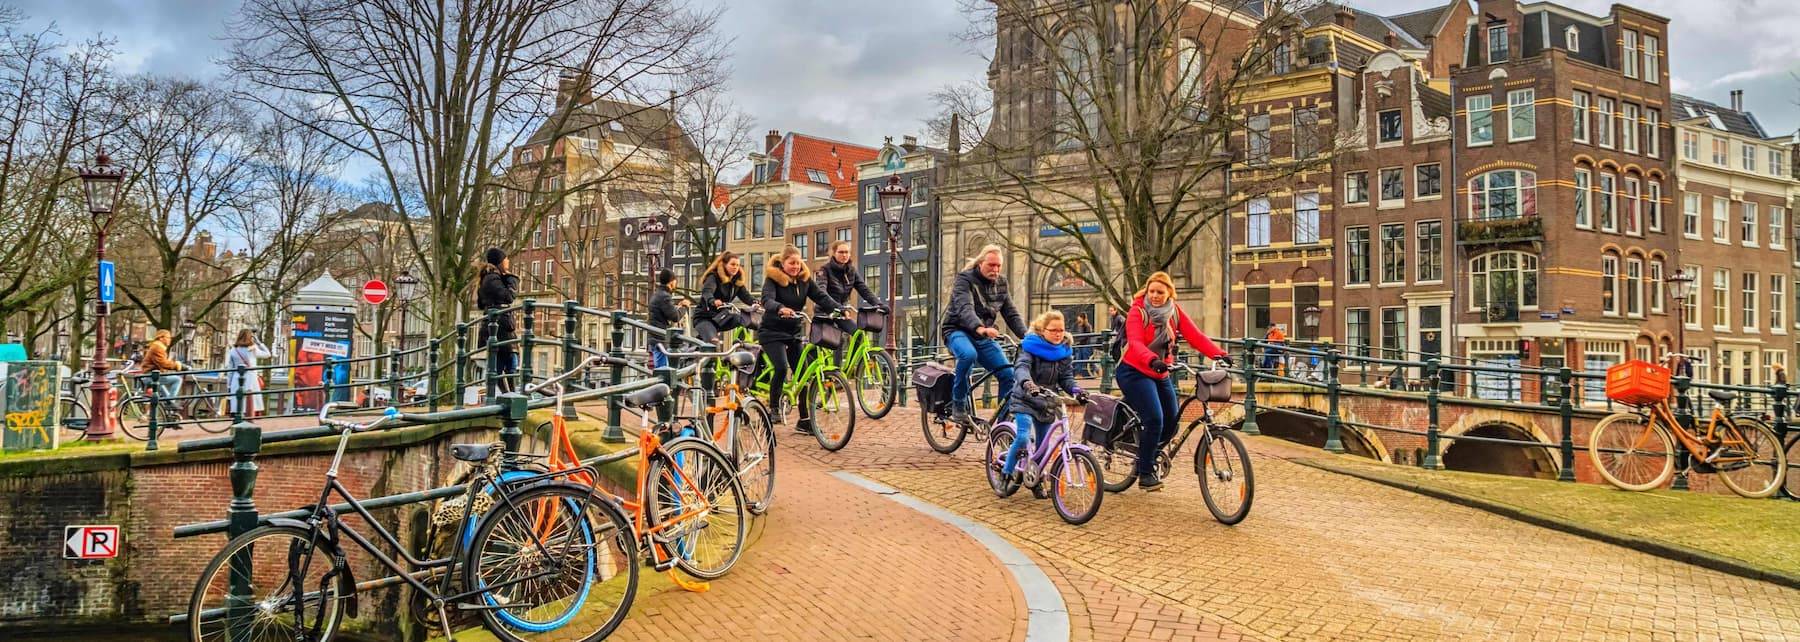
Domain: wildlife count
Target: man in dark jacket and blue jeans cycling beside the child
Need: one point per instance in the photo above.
(978, 303)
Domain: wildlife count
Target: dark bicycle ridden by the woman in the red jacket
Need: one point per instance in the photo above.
(1221, 463)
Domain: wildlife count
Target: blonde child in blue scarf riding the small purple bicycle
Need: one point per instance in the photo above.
(1045, 362)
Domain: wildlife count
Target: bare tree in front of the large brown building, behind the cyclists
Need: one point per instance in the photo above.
(1120, 118)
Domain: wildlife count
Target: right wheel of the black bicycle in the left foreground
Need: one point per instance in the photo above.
(553, 560)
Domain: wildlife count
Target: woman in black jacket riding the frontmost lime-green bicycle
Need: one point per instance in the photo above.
(787, 287)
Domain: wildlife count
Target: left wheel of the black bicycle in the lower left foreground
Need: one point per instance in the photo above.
(291, 589)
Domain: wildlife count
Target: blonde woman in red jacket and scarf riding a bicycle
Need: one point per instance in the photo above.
(1153, 328)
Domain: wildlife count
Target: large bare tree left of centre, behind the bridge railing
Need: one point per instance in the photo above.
(438, 94)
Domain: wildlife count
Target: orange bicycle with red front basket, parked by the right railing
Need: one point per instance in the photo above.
(1635, 450)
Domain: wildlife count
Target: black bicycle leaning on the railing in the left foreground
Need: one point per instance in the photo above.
(537, 560)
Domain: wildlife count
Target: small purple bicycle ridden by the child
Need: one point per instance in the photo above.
(1072, 470)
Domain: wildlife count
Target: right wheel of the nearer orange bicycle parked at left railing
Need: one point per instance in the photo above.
(696, 508)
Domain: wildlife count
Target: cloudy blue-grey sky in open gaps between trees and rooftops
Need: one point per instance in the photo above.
(865, 69)
